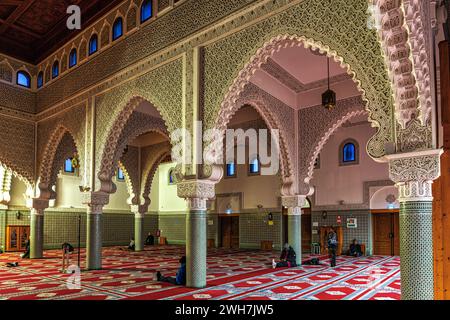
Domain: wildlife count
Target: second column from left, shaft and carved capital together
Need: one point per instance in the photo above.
(95, 203)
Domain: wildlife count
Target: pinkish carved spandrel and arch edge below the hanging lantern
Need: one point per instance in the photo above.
(316, 126)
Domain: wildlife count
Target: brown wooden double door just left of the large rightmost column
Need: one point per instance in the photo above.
(386, 233)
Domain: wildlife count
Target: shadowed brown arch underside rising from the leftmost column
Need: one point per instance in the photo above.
(60, 146)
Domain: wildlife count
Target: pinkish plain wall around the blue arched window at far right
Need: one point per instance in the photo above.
(333, 182)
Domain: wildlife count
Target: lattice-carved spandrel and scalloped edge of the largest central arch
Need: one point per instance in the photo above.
(230, 62)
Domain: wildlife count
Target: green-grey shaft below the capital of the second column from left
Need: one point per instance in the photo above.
(94, 241)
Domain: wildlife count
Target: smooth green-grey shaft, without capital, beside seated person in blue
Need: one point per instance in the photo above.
(196, 249)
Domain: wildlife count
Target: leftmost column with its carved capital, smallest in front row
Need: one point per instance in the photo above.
(37, 228)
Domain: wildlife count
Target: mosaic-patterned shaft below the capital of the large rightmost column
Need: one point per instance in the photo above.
(416, 254)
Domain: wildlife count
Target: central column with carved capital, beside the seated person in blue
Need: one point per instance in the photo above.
(196, 192)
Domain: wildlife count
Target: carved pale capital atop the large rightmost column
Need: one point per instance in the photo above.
(413, 174)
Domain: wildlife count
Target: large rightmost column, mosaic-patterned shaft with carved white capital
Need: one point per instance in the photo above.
(413, 174)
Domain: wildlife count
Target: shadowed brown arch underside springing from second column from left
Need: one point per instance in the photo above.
(128, 126)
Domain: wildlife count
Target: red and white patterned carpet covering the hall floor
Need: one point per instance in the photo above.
(232, 274)
